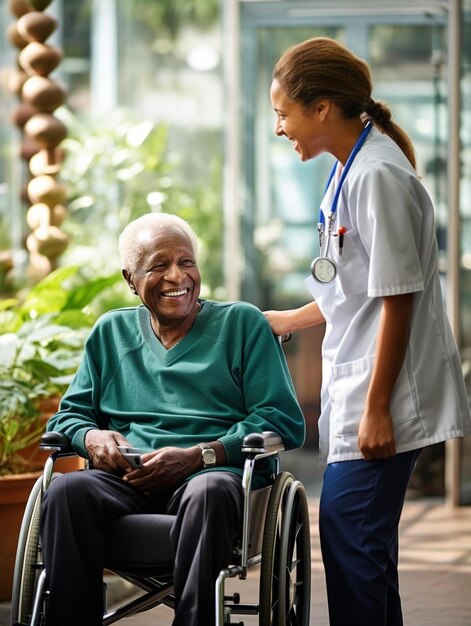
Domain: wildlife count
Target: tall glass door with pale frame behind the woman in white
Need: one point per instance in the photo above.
(406, 48)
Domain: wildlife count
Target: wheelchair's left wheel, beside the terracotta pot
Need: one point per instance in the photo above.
(28, 564)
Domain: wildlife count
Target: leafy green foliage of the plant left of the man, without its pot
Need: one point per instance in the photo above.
(41, 341)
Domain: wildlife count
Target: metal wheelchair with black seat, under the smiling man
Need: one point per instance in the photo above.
(274, 534)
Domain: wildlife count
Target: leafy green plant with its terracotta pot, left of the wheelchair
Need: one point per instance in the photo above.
(41, 341)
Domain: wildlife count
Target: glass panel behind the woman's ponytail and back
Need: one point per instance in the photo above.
(408, 66)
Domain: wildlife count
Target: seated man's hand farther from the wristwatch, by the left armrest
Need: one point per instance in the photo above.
(102, 449)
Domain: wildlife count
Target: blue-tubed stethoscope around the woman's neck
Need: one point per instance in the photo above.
(323, 268)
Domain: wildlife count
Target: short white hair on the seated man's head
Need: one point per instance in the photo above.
(129, 245)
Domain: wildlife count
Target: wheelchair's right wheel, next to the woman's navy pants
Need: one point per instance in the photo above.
(285, 573)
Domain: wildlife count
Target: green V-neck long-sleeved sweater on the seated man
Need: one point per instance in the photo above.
(226, 378)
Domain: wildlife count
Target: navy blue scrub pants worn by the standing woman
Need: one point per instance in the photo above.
(360, 508)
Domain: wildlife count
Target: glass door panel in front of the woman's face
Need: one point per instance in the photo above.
(286, 193)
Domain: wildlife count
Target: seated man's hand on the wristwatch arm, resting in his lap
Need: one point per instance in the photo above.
(165, 469)
